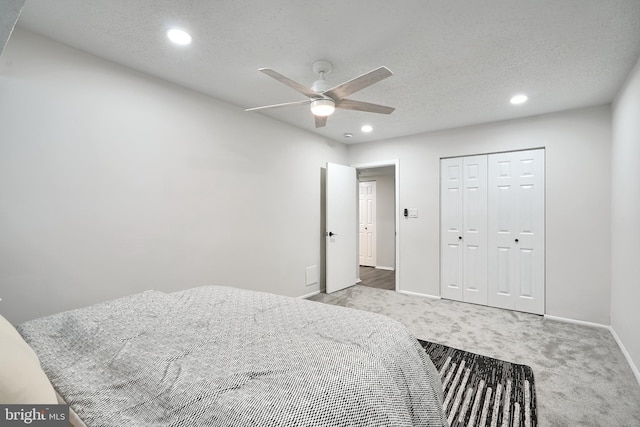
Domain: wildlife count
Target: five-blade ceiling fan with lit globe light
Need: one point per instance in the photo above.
(324, 99)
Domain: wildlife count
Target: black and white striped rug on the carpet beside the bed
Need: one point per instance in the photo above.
(482, 391)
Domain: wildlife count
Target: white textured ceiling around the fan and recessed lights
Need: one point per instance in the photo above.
(455, 62)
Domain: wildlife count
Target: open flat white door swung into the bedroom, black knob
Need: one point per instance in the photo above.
(342, 222)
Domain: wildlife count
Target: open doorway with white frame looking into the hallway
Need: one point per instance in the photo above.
(377, 258)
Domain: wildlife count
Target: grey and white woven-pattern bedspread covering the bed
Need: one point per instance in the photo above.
(218, 356)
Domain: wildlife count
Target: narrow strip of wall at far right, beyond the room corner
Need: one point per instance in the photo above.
(625, 217)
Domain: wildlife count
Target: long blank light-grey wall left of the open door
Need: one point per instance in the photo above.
(112, 182)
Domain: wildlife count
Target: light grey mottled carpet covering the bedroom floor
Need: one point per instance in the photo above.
(581, 376)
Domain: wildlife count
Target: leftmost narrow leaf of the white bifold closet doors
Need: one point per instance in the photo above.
(451, 229)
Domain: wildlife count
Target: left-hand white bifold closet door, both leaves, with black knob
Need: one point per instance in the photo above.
(463, 221)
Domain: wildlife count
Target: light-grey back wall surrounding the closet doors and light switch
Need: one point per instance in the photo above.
(577, 201)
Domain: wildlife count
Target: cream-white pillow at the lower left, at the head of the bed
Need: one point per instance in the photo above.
(22, 380)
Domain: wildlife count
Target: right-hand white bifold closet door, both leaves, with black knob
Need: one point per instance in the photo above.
(516, 231)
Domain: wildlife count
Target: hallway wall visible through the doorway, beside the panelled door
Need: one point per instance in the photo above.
(385, 220)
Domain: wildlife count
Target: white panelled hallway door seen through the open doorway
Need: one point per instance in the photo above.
(367, 226)
